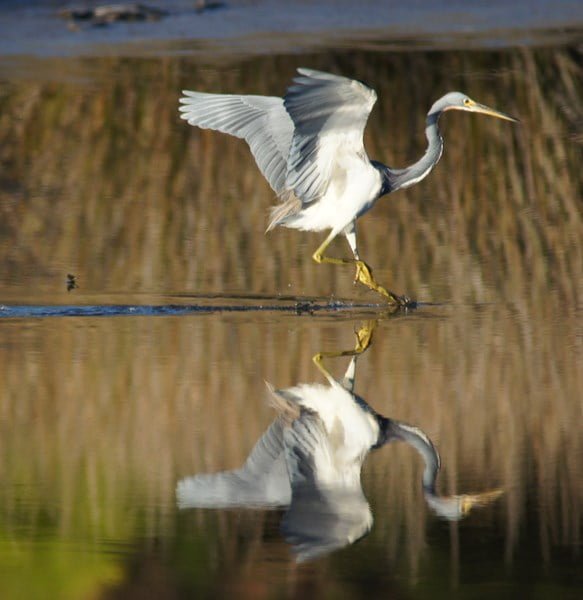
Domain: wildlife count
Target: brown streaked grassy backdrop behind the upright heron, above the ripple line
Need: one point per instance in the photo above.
(104, 177)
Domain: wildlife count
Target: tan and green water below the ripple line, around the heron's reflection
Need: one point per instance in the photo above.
(101, 417)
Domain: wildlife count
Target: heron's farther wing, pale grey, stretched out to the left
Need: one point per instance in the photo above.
(260, 120)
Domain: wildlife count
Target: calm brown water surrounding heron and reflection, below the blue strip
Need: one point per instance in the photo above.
(153, 369)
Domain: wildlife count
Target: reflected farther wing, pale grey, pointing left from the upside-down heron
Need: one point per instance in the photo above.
(261, 481)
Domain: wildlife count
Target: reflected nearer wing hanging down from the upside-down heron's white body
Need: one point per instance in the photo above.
(324, 514)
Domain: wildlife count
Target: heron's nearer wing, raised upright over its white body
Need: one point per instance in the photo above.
(329, 114)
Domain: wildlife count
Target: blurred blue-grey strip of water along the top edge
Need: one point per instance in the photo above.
(252, 27)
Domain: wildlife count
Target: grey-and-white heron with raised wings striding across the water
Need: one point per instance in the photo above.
(309, 147)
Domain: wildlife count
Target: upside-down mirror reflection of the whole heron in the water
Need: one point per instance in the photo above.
(309, 460)
